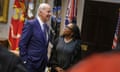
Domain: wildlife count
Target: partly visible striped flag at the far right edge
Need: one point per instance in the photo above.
(117, 33)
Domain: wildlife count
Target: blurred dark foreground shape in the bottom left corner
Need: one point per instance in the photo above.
(9, 62)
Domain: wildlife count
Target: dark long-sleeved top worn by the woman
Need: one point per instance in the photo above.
(65, 55)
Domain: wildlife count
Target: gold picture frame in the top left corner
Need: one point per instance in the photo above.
(4, 10)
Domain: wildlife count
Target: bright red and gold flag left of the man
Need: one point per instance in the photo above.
(17, 22)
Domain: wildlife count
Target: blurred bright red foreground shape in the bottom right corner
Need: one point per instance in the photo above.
(100, 62)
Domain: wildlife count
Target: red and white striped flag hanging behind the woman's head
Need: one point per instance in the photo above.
(71, 11)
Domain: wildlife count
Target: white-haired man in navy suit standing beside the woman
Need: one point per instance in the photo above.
(34, 40)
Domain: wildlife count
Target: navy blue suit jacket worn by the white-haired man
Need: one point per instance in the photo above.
(33, 45)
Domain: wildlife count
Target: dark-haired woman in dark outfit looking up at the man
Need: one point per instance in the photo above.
(66, 50)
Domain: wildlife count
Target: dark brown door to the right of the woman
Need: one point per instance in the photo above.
(98, 26)
